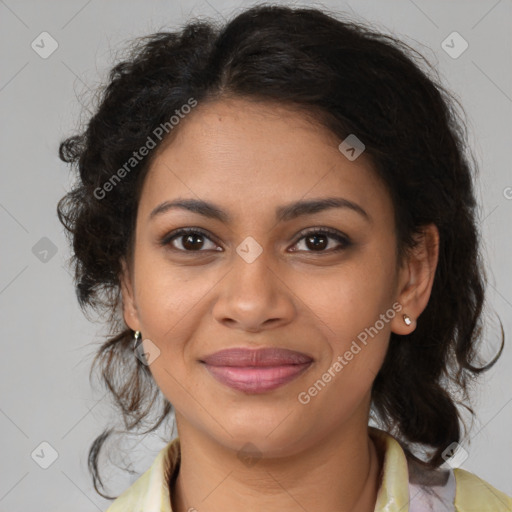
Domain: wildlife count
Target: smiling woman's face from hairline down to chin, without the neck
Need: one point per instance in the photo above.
(315, 282)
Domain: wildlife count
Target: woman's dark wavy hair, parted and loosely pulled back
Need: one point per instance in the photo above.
(352, 79)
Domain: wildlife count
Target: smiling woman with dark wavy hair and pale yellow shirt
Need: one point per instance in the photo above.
(279, 216)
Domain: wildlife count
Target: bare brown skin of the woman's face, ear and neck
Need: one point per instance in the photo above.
(250, 158)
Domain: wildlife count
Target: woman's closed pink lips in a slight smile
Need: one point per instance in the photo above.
(256, 371)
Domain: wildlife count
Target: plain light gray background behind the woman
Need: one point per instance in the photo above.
(48, 344)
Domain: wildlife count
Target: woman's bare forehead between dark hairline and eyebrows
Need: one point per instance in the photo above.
(252, 156)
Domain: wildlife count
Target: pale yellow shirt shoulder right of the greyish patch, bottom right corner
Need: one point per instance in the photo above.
(474, 494)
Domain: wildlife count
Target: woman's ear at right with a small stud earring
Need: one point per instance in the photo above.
(416, 278)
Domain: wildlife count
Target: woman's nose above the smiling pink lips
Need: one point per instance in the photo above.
(253, 297)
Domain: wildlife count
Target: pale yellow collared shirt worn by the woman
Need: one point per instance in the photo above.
(405, 485)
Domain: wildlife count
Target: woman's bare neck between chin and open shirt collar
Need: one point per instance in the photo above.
(338, 473)
